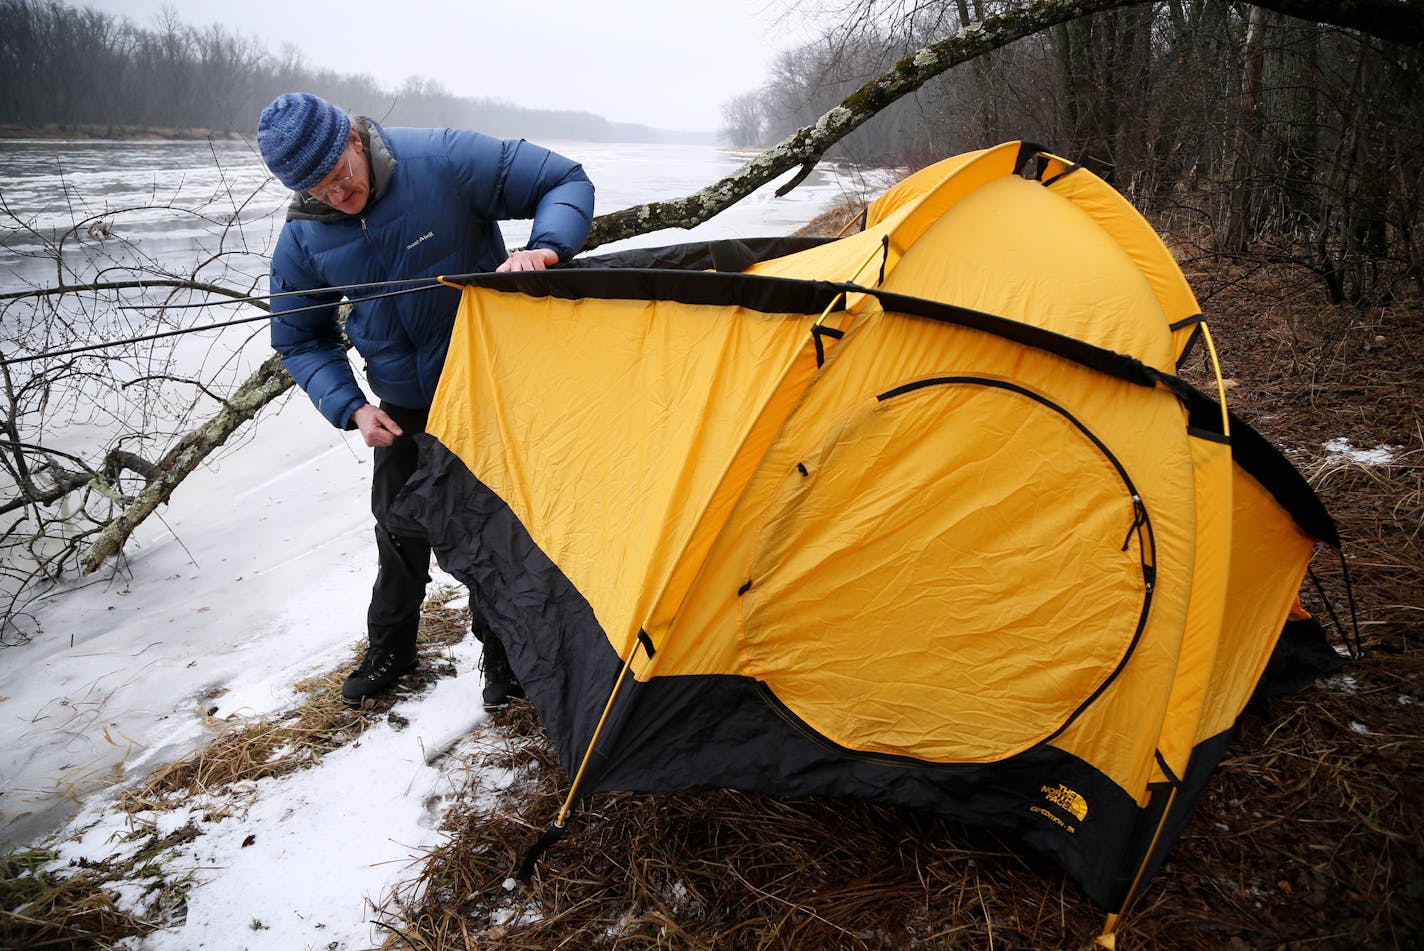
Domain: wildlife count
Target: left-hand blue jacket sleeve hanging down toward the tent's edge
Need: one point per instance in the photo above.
(311, 341)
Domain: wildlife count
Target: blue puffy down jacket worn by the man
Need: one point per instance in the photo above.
(438, 197)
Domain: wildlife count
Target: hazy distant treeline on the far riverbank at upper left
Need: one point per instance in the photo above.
(85, 69)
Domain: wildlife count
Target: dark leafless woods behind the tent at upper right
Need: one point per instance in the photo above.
(1248, 130)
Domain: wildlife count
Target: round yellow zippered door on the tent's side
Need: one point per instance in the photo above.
(951, 574)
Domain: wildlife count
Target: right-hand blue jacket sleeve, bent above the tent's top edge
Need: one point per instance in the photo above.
(518, 180)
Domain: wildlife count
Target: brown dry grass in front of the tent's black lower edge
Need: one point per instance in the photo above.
(723, 871)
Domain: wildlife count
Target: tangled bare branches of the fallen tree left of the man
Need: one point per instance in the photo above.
(100, 406)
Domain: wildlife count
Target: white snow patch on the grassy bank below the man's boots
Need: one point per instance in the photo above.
(327, 845)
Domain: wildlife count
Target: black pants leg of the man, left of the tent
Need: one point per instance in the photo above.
(404, 562)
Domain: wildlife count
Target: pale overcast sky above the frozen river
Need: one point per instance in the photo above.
(663, 63)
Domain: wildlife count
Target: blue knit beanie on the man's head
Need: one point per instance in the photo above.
(301, 139)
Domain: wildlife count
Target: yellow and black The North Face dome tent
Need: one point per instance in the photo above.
(922, 516)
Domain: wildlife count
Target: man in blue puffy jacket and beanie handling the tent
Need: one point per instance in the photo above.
(378, 206)
